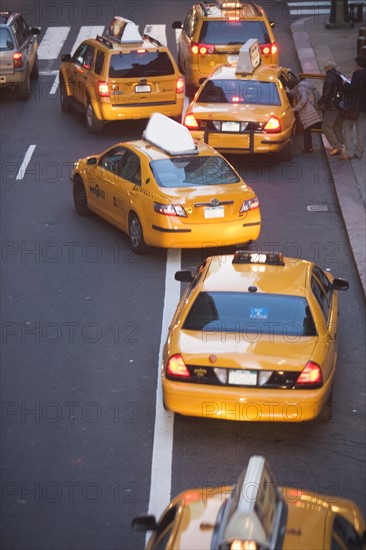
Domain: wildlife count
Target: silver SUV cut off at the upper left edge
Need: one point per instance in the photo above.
(18, 53)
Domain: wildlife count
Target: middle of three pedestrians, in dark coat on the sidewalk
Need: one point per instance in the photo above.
(332, 125)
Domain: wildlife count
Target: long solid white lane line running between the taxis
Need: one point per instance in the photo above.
(161, 465)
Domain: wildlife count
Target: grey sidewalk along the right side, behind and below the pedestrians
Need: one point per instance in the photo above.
(315, 46)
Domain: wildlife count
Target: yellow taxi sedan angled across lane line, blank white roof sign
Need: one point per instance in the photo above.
(167, 190)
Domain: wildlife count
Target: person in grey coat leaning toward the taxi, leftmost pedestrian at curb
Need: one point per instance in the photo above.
(306, 96)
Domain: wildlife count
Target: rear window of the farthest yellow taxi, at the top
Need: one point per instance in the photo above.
(233, 32)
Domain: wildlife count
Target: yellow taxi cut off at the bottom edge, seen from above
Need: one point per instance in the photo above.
(255, 514)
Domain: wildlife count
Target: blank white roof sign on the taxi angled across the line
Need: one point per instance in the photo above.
(169, 135)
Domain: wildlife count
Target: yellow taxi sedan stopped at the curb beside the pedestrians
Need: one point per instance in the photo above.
(245, 108)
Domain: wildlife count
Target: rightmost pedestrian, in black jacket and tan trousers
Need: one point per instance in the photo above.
(355, 102)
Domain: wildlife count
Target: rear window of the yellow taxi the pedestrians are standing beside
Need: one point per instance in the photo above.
(254, 92)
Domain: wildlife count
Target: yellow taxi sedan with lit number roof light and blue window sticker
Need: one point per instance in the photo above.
(253, 338)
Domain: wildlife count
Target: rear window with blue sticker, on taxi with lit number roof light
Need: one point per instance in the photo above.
(251, 313)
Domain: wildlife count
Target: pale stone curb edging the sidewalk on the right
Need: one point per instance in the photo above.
(343, 176)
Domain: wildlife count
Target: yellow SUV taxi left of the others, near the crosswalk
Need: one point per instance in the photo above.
(121, 76)
